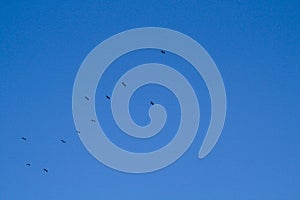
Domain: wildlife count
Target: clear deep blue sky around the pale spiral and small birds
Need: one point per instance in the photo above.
(256, 47)
